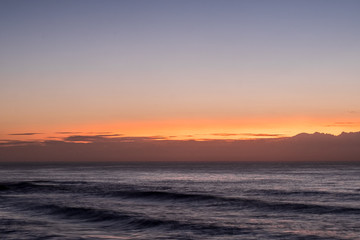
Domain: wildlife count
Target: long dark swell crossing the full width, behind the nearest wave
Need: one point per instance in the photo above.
(178, 197)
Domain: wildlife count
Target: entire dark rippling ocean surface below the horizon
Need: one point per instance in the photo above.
(181, 201)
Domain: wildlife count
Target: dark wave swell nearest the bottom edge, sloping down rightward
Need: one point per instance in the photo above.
(121, 220)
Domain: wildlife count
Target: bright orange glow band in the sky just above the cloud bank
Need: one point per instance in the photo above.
(195, 129)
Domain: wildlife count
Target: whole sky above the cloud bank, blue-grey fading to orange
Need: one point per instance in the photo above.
(178, 69)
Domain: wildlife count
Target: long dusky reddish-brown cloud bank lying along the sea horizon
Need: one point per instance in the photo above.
(114, 147)
